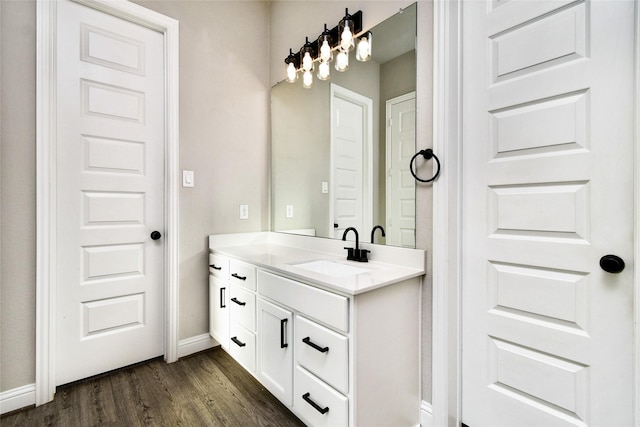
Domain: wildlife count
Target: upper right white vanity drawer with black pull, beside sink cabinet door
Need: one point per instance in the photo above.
(322, 352)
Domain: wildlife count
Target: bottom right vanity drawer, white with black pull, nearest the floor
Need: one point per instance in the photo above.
(318, 404)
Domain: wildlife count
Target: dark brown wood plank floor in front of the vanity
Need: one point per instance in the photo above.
(204, 389)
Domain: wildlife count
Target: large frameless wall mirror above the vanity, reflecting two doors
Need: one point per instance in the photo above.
(341, 149)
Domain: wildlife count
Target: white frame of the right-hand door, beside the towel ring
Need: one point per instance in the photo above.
(447, 227)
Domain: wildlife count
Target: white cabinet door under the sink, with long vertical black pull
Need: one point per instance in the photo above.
(275, 350)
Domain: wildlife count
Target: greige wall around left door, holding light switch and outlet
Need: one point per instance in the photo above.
(224, 122)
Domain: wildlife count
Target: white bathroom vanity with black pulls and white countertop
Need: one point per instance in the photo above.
(335, 355)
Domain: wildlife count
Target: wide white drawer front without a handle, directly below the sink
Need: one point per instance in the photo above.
(322, 305)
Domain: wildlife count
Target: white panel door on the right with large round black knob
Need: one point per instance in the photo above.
(547, 335)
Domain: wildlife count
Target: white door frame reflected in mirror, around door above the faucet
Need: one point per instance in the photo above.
(367, 154)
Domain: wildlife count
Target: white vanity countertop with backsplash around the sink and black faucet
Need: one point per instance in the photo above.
(280, 254)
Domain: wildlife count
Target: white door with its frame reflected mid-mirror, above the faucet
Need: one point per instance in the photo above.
(351, 169)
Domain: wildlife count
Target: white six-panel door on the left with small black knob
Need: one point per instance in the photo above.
(110, 180)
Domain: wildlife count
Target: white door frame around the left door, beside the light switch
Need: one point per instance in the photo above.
(46, 13)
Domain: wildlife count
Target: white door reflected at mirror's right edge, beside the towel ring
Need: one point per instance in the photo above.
(401, 188)
